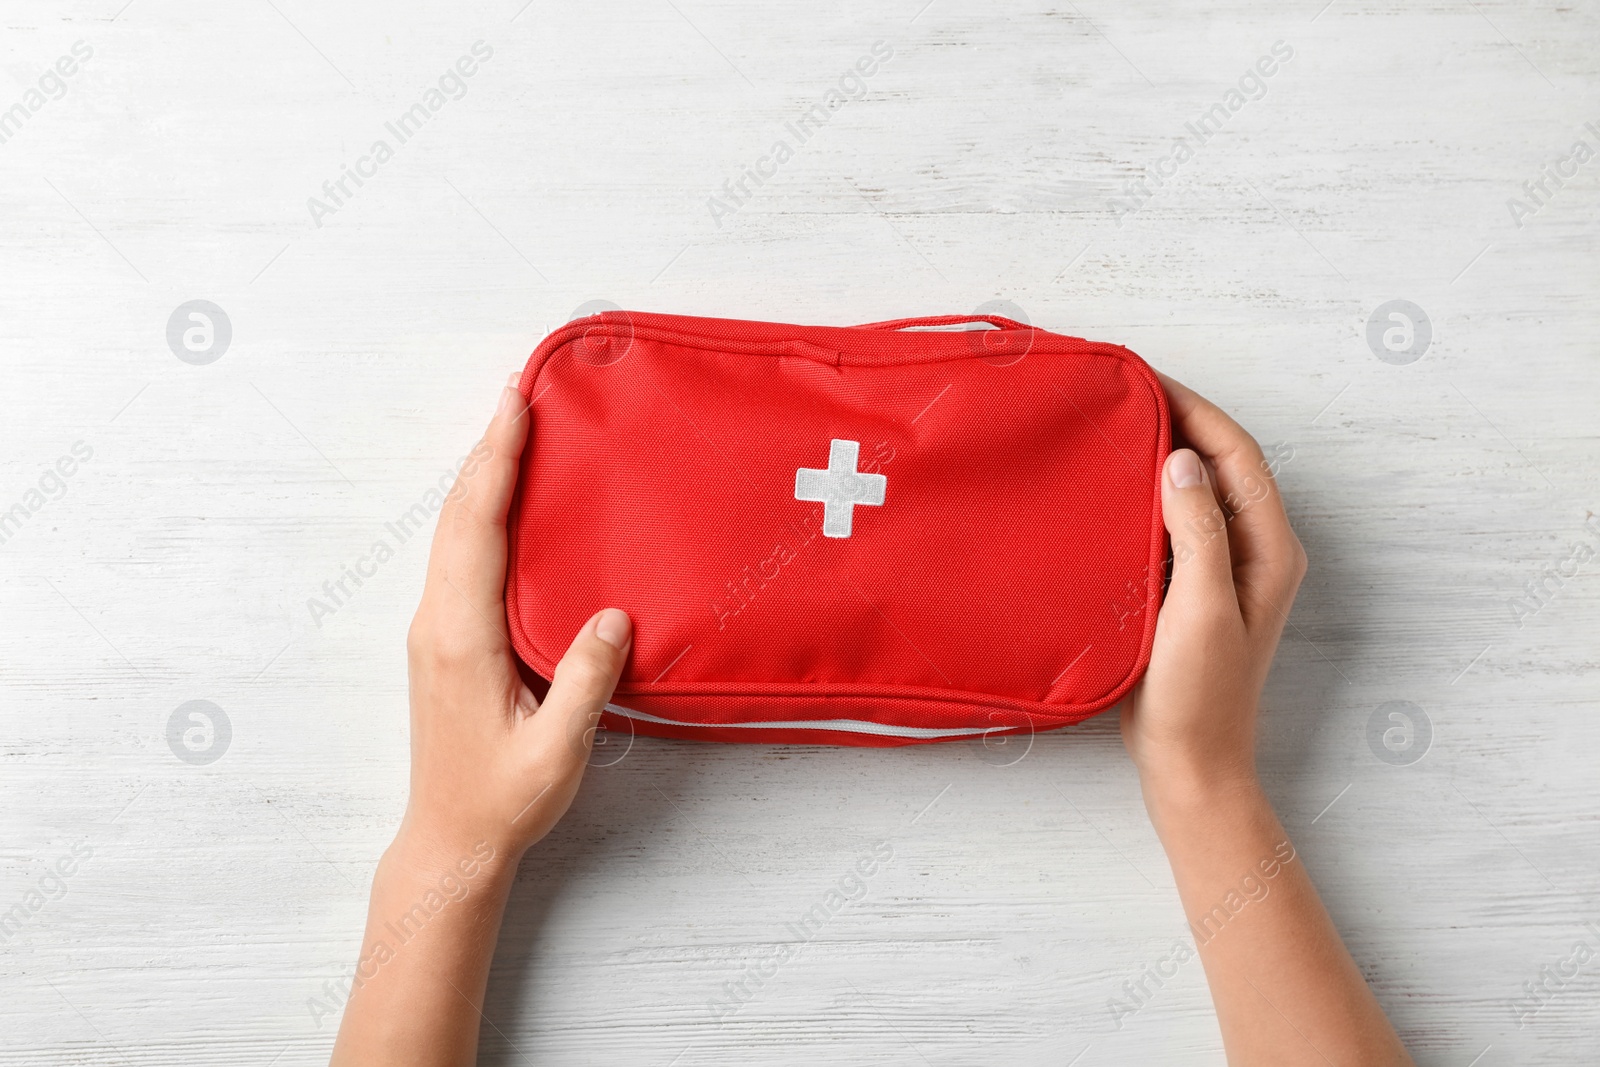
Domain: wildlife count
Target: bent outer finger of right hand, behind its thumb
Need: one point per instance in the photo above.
(1265, 546)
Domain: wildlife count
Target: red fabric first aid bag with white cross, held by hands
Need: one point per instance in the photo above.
(866, 537)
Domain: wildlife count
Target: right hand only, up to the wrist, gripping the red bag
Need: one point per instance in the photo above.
(1236, 569)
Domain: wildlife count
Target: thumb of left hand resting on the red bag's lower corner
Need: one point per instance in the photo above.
(585, 681)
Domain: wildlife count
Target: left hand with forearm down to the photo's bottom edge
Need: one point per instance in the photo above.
(492, 772)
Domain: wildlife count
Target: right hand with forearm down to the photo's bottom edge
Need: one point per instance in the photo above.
(1286, 988)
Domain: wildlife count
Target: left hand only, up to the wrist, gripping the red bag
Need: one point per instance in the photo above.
(490, 762)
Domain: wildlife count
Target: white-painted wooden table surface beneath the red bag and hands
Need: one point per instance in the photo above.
(993, 156)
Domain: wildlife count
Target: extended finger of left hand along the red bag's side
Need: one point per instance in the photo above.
(470, 543)
